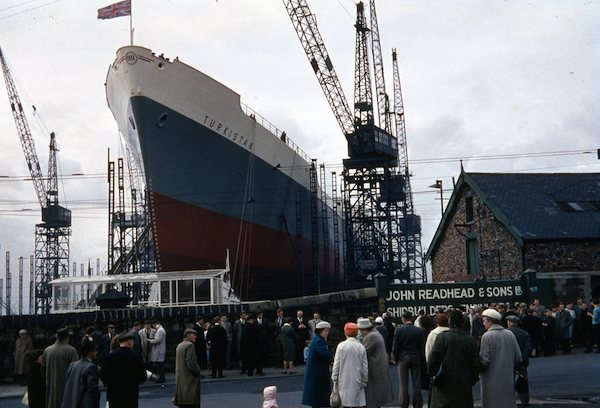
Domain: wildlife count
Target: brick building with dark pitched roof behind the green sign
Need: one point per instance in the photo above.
(497, 225)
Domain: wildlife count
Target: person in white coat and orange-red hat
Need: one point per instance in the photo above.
(350, 369)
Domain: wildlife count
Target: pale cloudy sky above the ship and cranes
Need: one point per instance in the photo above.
(482, 82)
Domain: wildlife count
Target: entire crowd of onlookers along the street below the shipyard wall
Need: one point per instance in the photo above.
(445, 353)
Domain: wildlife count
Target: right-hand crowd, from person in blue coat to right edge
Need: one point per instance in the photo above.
(446, 354)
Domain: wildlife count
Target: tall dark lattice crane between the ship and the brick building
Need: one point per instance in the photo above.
(374, 187)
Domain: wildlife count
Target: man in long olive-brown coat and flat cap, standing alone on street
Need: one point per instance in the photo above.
(187, 372)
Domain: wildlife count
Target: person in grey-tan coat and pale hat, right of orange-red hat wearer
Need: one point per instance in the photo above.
(379, 386)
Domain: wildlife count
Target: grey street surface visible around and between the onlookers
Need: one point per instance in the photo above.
(556, 382)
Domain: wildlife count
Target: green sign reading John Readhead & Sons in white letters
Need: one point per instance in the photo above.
(431, 297)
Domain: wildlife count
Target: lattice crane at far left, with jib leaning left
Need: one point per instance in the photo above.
(52, 234)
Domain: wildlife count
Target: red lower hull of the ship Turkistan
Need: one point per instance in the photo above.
(263, 261)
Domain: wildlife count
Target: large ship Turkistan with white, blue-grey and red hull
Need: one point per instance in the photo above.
(220, 177)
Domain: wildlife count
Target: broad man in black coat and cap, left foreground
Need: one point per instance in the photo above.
(122, 373)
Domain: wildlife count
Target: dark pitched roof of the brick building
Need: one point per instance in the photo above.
(534, 206)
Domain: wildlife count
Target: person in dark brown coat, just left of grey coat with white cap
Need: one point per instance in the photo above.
(458, 353)
